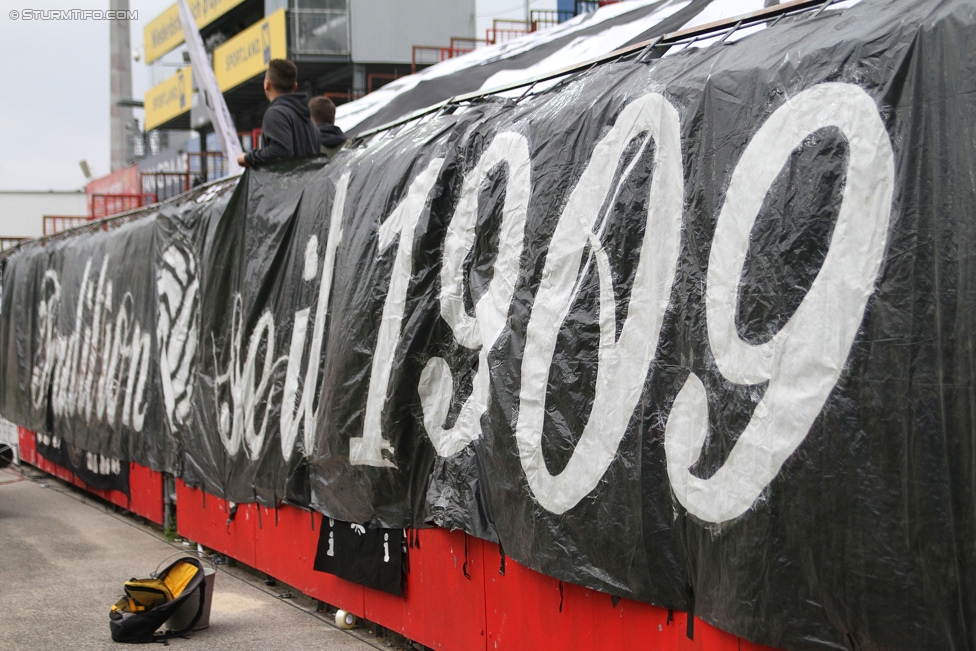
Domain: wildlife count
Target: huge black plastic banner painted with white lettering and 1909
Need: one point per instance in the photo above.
(694, 330)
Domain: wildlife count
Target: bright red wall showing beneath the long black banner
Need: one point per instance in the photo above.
(461, 593)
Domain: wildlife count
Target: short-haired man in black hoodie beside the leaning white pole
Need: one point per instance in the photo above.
(287, 130)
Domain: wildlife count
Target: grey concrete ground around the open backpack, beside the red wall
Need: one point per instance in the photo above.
(64, 557)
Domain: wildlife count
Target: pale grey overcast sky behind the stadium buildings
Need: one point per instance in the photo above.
(55, 108)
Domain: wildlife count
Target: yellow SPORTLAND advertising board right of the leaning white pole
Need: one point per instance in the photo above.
(248, 53)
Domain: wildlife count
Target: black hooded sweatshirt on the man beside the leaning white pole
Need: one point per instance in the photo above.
(287, 131)
